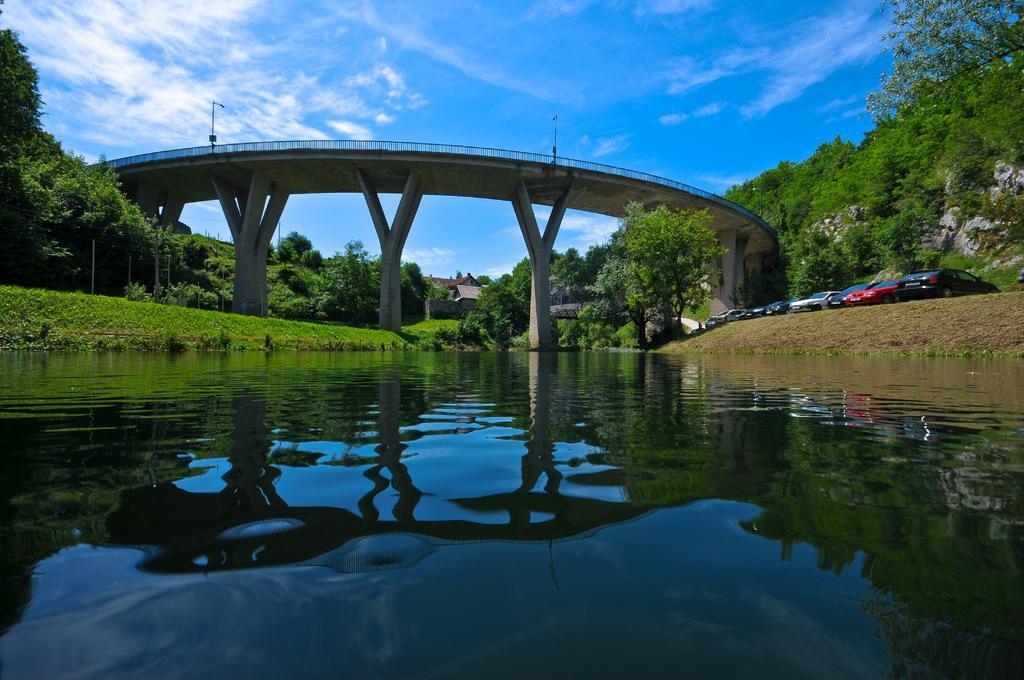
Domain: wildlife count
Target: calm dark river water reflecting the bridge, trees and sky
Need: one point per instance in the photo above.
(503, 516)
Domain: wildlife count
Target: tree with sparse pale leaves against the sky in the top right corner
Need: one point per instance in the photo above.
(933, 41)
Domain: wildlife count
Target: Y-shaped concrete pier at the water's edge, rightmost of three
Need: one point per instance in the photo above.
(539, 246)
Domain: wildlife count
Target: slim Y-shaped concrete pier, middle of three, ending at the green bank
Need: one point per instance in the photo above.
(393, 241)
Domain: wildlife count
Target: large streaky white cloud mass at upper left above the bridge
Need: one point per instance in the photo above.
(137, 73)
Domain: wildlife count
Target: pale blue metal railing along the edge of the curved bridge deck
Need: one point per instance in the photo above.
(426, 148)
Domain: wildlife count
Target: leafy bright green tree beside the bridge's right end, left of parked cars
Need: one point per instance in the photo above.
(671, 256)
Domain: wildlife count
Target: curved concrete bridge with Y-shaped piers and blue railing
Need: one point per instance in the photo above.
(252, 182)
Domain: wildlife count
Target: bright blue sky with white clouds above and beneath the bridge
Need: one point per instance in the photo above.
(709, 93)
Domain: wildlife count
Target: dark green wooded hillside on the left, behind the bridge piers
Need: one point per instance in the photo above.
(58, 212)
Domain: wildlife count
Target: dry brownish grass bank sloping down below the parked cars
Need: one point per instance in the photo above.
(967, 326)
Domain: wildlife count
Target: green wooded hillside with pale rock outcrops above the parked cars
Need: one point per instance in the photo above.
(938, 183)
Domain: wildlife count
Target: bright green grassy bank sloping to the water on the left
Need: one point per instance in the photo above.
(33, 319)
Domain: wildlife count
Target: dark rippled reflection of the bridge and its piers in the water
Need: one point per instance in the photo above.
(248, 524)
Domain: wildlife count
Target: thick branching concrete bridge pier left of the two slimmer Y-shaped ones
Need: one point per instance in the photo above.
(252, 216)
